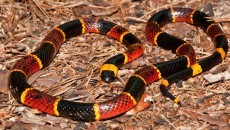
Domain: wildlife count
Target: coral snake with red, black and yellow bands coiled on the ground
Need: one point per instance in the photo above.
(172, 71)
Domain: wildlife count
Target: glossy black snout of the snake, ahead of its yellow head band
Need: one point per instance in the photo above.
(107, 76)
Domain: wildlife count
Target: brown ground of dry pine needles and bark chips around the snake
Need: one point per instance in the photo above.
(73, 74)
